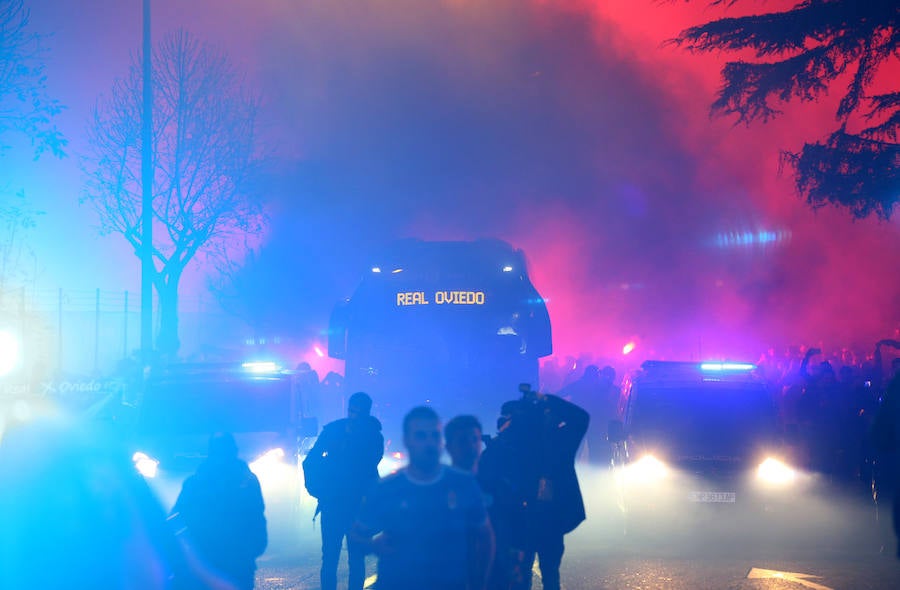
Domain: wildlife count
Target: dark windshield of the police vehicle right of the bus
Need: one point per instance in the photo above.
(711, 418)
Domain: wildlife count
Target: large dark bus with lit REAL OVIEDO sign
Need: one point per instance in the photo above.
(456, 324)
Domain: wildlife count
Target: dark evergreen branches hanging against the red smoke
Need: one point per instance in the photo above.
(801, 53)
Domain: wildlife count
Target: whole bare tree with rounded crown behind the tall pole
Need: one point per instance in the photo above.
(204, 157)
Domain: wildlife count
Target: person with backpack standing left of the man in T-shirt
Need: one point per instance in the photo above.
(349, 451)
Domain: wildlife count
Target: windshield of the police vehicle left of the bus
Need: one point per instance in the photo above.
(240, 405)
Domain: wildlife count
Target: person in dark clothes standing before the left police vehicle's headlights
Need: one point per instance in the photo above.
(221, 514)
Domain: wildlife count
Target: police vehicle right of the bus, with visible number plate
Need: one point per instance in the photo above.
(693, 435)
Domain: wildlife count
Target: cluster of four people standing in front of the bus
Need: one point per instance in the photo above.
(478, 523)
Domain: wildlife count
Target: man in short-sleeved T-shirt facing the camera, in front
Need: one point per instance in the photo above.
(427, 522)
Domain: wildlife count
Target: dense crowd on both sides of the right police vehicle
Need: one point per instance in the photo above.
(826, 402)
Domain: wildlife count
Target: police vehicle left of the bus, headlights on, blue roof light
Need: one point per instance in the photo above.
(183, 404)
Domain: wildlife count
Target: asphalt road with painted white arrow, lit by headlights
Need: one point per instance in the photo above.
(819, 541)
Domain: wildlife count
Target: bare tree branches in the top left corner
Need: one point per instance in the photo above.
(25, 106)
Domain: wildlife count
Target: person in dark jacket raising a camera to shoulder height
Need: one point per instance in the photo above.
(530, 473)
